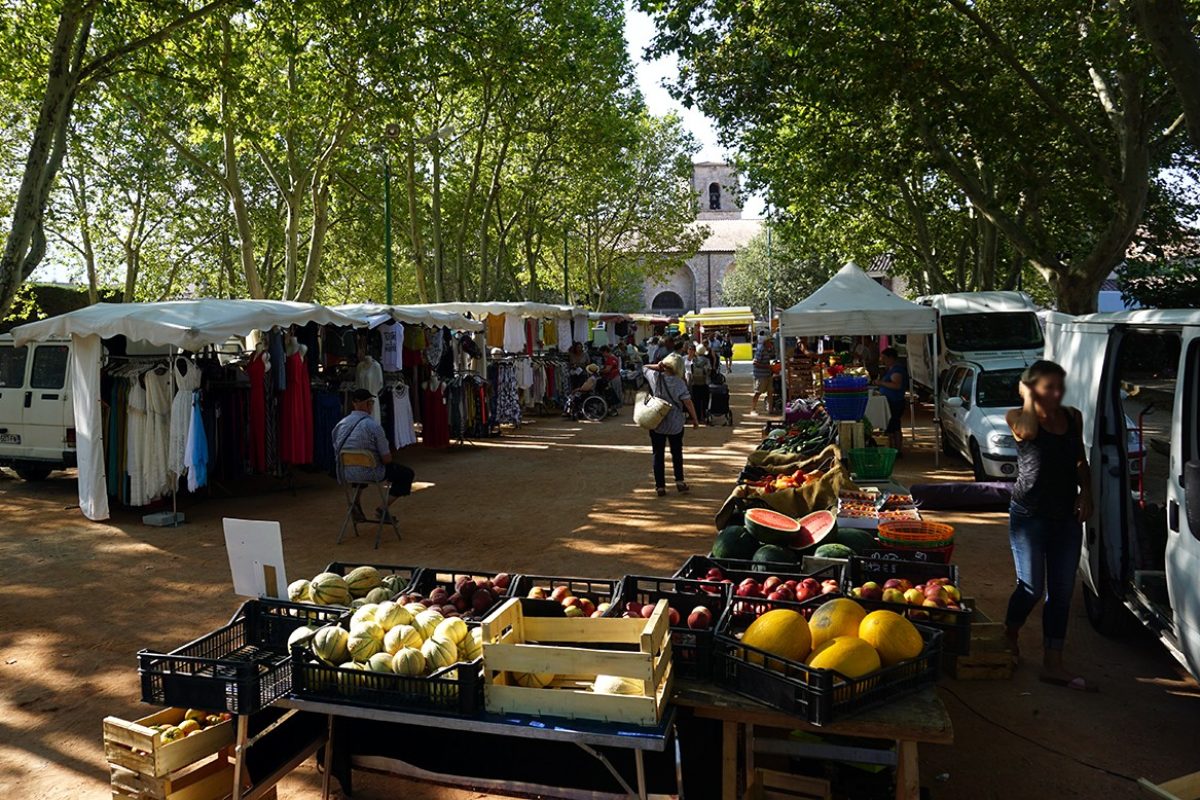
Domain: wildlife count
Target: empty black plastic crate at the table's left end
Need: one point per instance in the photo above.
(241, 667)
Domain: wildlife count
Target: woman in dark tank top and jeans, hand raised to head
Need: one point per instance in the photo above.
(1052, 500)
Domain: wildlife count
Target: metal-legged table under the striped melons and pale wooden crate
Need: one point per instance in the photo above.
(580, 733)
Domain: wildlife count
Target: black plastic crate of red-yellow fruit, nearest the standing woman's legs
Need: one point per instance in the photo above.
(955, 624)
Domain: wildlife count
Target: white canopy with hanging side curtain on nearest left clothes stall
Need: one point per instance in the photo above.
(181, 324)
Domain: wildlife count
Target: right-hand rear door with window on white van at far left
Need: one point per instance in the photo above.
(46, 404)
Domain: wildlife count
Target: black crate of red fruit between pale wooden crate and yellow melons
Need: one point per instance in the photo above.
(692, 649)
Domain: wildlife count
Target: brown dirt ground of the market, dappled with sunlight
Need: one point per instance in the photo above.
(555, 497)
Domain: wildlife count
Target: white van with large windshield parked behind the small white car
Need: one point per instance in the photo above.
(977, 327)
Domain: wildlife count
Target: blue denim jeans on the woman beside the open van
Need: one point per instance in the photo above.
(1046, 554)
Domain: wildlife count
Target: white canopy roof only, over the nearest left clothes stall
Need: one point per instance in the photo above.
(187, 324)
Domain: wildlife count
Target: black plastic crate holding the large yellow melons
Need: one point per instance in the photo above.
(819, 696)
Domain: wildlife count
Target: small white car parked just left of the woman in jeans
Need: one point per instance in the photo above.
(975, 399)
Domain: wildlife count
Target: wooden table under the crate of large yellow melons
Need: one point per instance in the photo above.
(907, 721)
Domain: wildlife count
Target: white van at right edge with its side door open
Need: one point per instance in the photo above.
(1142, 549)
